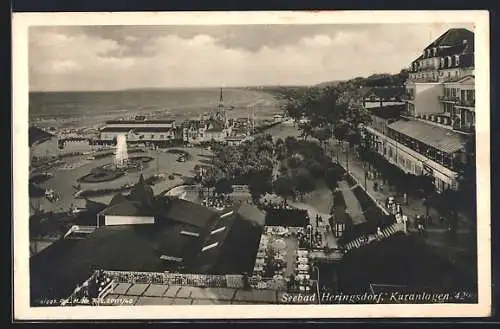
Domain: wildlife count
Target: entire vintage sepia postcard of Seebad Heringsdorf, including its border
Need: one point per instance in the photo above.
(251, 165)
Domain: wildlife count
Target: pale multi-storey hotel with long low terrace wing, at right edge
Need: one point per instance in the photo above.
(430, 135)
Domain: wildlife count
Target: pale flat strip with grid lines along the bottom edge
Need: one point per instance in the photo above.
(161, 294)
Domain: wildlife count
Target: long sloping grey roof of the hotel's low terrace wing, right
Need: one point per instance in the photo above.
(442, 139)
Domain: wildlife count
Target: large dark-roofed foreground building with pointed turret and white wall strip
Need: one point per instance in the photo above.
(146, 233)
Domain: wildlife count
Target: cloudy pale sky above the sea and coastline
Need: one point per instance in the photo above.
(72, 58)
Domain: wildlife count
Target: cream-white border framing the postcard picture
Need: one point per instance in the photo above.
(20, 166)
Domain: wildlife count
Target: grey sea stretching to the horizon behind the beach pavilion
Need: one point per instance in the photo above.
(91, 109)
